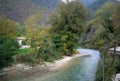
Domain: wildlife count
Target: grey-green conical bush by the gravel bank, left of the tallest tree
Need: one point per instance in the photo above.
(47, 51)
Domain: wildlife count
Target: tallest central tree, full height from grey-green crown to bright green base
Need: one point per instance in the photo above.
(67, 25)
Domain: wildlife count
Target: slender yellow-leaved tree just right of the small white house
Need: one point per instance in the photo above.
(34, 31)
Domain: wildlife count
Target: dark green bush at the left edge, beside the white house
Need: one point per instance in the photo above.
(8, 47)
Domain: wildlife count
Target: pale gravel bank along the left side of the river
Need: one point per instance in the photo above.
(22, 70)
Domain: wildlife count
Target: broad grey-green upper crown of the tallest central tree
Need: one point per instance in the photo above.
(69, 17)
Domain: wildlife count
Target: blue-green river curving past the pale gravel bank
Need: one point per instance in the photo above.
(78, 69)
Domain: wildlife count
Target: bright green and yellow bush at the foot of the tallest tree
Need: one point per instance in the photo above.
(65, 43)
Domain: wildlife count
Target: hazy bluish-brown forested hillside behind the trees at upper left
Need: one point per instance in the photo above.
(19, 10)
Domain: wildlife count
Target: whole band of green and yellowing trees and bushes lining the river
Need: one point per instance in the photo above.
(70, 26)
